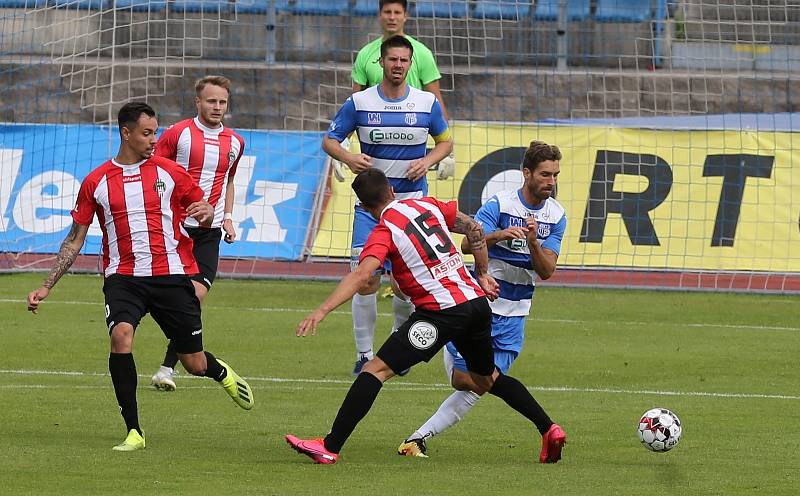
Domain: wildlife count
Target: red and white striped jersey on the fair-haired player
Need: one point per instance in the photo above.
(210, 156)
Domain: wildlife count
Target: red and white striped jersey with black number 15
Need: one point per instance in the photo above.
(414, 234)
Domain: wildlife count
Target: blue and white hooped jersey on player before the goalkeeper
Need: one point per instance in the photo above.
(393, 132)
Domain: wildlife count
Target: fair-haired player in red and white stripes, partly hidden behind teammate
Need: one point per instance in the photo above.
(210, 152)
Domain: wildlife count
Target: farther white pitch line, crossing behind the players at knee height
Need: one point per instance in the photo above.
(532, 319)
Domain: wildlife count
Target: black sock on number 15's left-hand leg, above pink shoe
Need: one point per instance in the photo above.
(355, 406)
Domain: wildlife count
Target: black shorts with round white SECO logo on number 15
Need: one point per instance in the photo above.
(468, 326)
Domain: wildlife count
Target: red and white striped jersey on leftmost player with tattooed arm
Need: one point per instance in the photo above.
(140, 208)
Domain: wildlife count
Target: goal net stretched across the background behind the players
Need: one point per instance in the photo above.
(678, 122)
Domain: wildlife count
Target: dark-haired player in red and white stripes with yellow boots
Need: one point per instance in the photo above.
(140, 201)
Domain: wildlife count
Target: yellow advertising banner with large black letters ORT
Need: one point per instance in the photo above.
(635, 198)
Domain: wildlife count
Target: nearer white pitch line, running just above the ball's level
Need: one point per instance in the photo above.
(416, 386)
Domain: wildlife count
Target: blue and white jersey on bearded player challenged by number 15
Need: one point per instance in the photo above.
(510, 260)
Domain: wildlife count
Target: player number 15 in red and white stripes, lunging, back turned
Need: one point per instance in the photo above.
(450, 304)
